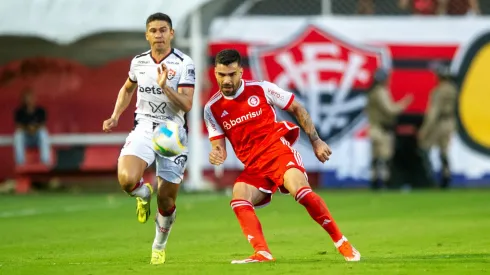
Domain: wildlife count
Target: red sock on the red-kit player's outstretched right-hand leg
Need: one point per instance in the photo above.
(318, 210)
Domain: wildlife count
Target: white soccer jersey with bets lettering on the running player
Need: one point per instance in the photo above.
(152, 104)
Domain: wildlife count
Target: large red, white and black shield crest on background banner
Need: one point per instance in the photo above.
(328, 74)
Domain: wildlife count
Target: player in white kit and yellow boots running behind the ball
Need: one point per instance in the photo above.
(163, 79)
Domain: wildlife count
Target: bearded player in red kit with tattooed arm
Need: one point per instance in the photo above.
(243, 112)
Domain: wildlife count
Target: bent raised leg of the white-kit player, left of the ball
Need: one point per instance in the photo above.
(136, 156)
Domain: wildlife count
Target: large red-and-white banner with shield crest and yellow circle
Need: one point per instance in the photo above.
(328, 63)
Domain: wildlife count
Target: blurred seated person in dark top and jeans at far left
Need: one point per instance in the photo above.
(30, 121)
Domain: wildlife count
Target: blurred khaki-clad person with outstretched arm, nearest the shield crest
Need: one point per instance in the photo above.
(382, 113)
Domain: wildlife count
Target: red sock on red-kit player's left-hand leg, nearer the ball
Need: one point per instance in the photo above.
(250, 224)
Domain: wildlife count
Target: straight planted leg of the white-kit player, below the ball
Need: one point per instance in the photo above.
(170, 173)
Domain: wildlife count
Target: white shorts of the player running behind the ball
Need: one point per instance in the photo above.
(138, 143)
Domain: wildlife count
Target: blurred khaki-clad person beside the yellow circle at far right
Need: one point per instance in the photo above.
(440, 120)
